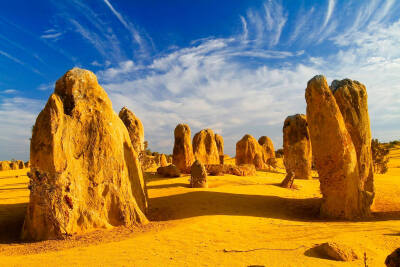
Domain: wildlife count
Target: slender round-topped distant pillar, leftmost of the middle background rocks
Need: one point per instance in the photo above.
(182, 156)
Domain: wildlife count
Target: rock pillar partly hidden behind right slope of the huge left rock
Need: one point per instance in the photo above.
(135, 128)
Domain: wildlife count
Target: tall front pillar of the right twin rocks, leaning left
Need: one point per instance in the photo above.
(335, 155)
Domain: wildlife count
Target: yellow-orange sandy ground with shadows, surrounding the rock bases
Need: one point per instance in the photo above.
(237, 221)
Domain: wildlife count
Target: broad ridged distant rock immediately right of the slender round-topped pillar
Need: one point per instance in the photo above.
(205, 147)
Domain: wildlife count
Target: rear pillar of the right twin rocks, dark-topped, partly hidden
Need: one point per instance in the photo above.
(352, 99)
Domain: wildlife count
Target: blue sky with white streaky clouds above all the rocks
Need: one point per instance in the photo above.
(236, 67)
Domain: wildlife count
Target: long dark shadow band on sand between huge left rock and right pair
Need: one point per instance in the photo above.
(199, 203)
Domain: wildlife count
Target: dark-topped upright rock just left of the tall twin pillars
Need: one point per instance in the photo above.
(297, 147)
